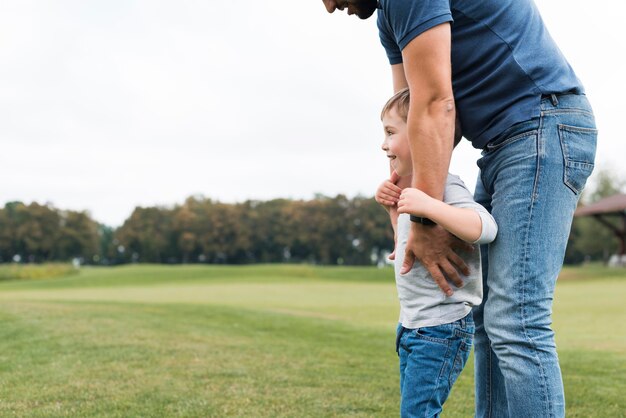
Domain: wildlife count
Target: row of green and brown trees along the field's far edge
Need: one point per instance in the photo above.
(323, 230)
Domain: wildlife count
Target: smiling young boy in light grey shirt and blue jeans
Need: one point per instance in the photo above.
(435, 333)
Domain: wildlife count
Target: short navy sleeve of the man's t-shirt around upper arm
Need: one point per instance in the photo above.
(400, 21)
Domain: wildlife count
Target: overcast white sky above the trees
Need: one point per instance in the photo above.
(107, 105)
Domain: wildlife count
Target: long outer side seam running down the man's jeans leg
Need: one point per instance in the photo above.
(525, 274)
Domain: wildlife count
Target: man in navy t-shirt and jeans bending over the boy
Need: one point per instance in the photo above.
(520, 102)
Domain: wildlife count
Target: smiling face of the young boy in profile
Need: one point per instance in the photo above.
(396, 143)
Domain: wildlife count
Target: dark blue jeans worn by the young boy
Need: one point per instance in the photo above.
(431, 358)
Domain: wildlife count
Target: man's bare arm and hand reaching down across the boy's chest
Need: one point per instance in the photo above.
(431, 120)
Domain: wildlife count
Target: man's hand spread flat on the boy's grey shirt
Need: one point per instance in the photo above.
(433, 247)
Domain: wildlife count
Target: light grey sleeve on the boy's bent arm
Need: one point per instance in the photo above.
(456, 194)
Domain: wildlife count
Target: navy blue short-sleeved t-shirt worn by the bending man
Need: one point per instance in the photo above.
(503, 58)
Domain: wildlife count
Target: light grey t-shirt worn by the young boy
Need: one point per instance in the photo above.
(422, 302)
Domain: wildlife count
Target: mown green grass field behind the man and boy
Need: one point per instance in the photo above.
(259, 341)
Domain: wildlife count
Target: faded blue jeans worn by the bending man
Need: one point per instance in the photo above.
(531, 178)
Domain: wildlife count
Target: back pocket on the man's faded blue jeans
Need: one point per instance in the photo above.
(579, 151)
